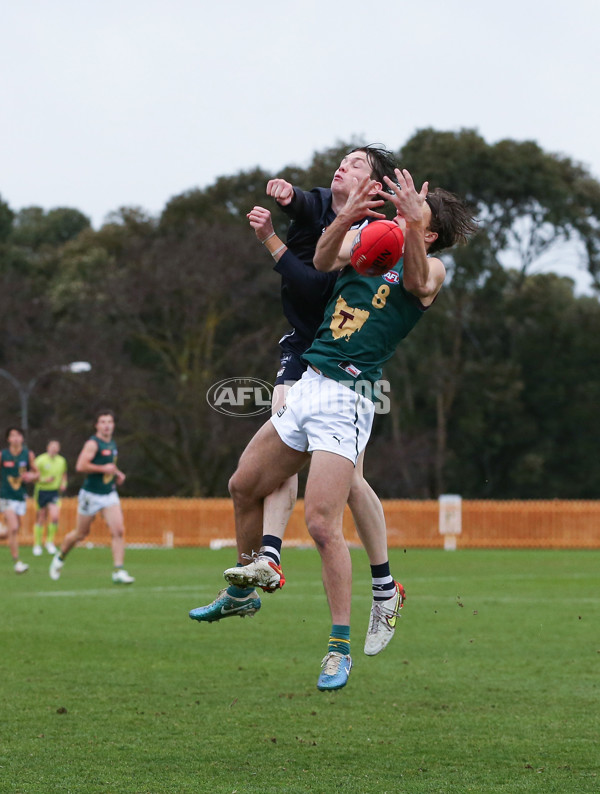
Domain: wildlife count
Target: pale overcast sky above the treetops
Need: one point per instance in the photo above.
(130, 102)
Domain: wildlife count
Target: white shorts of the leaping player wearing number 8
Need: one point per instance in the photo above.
(322, 414)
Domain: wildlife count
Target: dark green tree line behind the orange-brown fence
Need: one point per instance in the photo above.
(493, 395)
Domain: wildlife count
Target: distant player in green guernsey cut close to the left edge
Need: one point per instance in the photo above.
(17, 467)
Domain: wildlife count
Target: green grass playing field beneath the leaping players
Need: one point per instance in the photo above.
(491, 684)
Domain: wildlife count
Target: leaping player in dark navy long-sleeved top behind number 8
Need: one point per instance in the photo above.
(305, 294)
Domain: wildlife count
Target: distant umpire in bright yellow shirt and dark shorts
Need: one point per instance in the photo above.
(48, 489)
